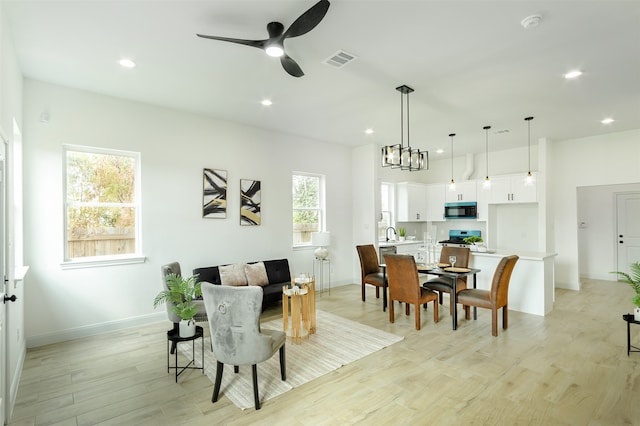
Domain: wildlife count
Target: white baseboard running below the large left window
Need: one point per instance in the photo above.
(94, 329)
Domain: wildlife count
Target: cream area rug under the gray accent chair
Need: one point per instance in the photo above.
(337, 342)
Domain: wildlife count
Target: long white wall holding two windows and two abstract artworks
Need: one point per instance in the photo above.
(175, 147)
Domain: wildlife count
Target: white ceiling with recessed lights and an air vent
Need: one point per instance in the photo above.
(470, 63)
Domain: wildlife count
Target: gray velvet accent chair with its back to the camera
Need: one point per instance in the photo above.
(236, 337)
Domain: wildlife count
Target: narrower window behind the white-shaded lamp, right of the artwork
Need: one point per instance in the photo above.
(308, 207)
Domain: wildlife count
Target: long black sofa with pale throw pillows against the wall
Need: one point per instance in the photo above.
(278, 274)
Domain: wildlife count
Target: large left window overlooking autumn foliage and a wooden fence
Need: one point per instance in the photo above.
(102, 205)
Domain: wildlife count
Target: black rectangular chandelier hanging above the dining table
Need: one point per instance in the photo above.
(403, 157)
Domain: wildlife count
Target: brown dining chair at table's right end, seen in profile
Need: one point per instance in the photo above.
(494, 299)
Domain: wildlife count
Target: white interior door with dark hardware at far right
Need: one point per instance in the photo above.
(628, 229)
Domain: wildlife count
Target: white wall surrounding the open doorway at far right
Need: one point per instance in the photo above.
(599, 160)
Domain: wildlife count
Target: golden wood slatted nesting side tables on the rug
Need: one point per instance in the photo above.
(303, 311)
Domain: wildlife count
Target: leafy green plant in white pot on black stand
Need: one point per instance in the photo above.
(181, 292)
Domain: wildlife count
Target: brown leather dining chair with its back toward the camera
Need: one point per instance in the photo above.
(404, 286)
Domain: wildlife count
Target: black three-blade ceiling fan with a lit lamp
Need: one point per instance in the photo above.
(274, 45)
